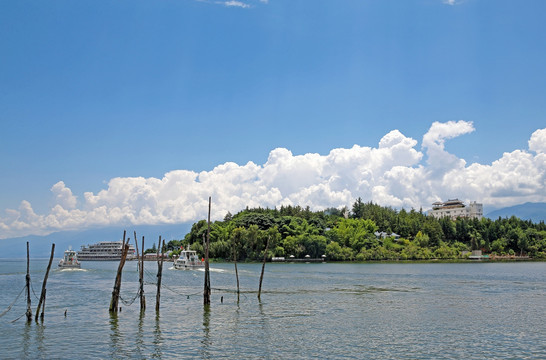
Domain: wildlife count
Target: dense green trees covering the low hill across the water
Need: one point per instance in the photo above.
(344, 235)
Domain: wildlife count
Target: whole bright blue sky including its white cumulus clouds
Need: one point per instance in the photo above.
(92, 91)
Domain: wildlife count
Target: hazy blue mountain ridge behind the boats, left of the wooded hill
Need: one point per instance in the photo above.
(40, 246)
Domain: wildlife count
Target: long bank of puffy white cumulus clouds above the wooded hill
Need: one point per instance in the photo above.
(393, 173)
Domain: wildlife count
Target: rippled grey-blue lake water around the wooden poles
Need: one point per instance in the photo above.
(359, 311)
